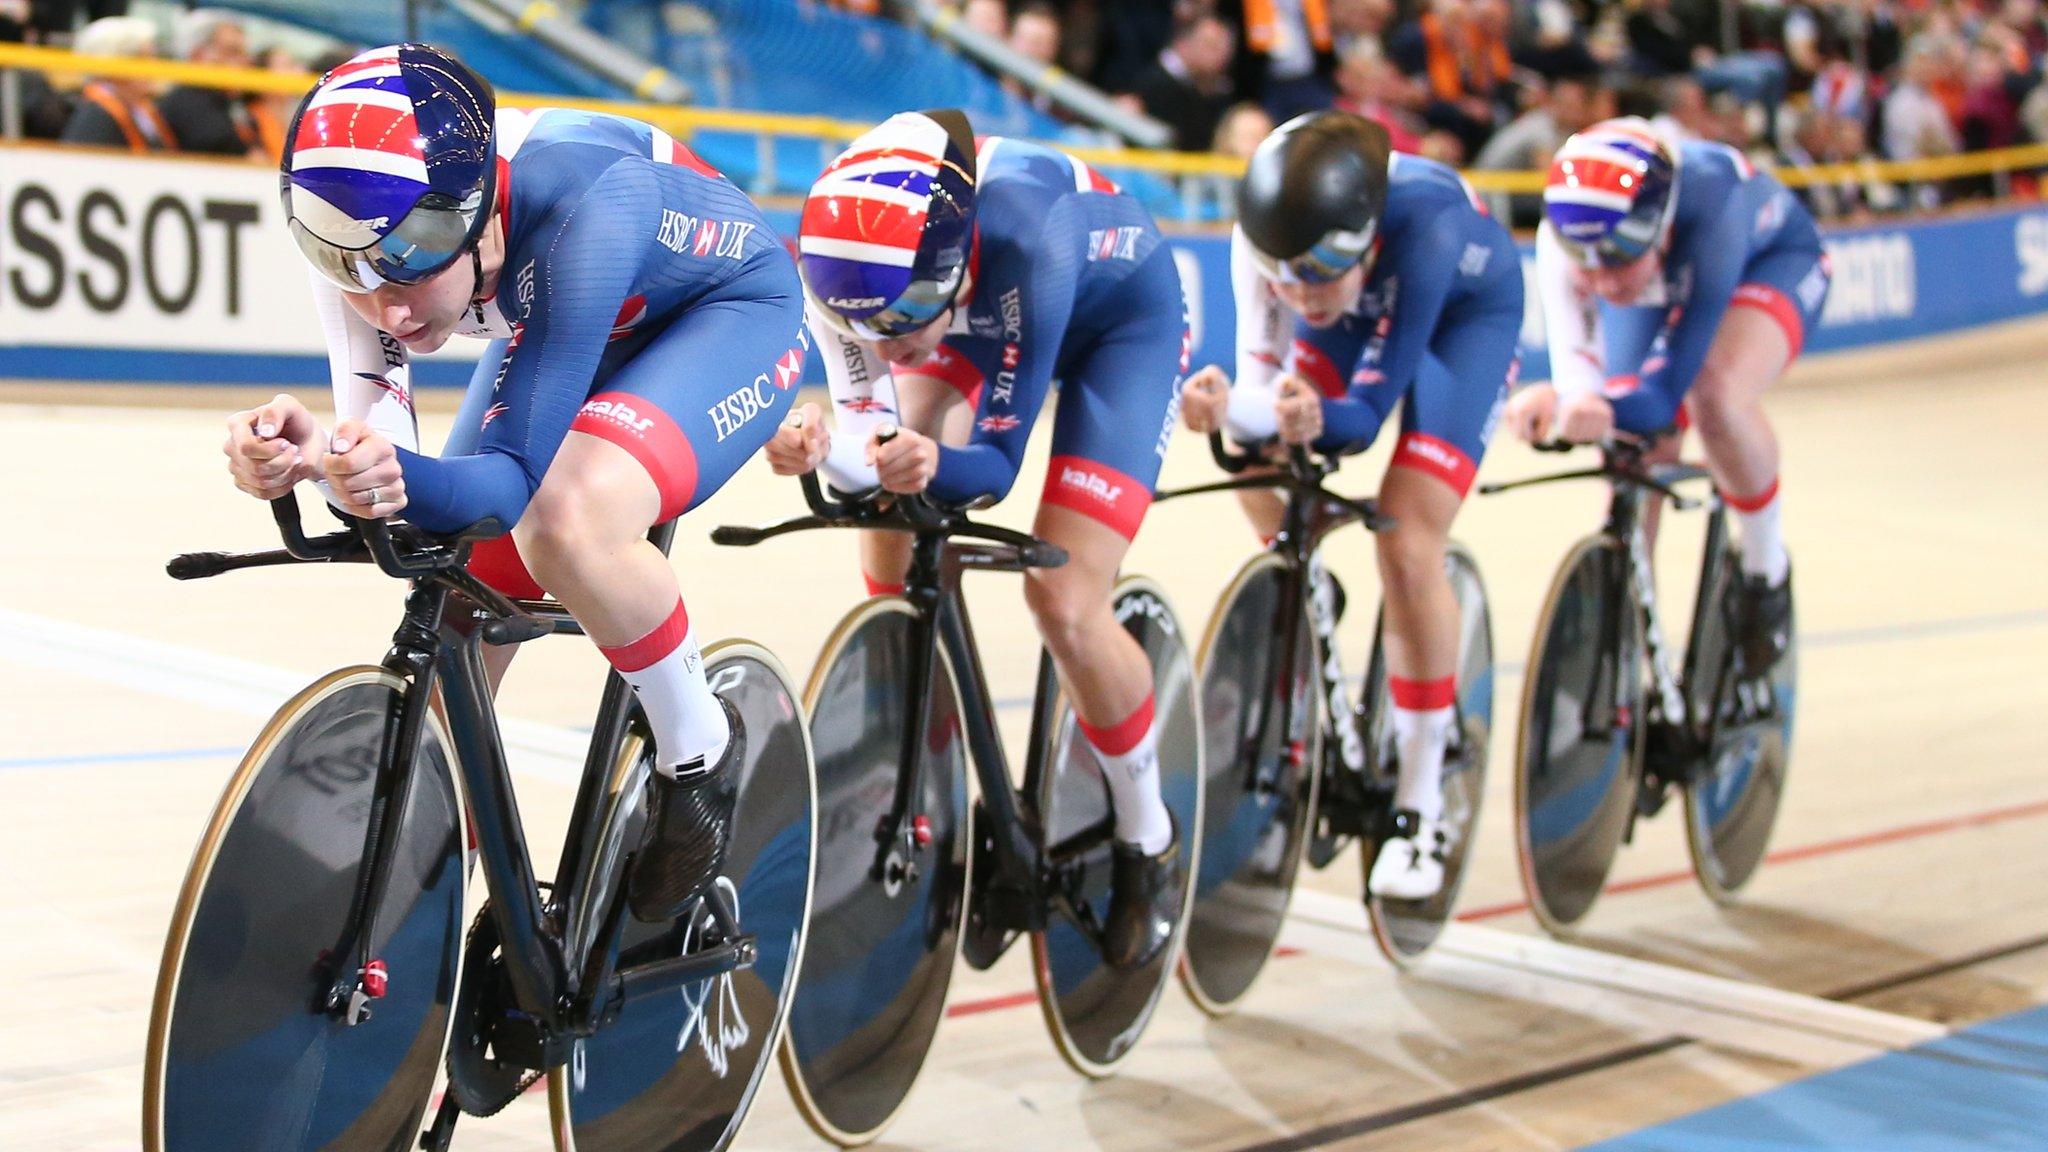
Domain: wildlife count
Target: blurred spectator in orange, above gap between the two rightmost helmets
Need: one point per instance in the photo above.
(1459, 48)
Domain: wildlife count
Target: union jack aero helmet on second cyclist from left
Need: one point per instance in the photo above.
(888, 227)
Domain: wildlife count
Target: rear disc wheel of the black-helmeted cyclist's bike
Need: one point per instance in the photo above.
(1408, 928)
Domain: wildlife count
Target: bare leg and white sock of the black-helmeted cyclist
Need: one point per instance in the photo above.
(1420, 630)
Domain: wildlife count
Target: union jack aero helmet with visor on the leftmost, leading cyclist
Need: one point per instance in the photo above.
(390, 167)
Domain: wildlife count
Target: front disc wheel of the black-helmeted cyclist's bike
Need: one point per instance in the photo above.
(1261, 733)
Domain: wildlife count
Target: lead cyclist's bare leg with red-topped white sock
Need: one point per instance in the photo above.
(585, 540)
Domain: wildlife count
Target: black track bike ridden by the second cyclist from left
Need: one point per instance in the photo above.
(912, 870)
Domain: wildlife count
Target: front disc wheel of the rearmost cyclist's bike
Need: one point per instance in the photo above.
(1580, 749)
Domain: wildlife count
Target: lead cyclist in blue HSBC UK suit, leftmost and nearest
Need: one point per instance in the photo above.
(646, 331)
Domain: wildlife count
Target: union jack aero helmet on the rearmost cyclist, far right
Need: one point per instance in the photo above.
(1611, 192)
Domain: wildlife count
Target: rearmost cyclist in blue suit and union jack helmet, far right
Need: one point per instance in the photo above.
(1678, 280)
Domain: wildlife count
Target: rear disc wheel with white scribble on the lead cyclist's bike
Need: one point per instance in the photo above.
(677, 1073)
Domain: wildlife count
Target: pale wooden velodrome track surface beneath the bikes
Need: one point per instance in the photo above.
(1910, 887)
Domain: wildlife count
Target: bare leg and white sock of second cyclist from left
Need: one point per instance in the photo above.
(1103, 669)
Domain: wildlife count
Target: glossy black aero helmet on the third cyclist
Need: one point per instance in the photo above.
(1314, 194)
